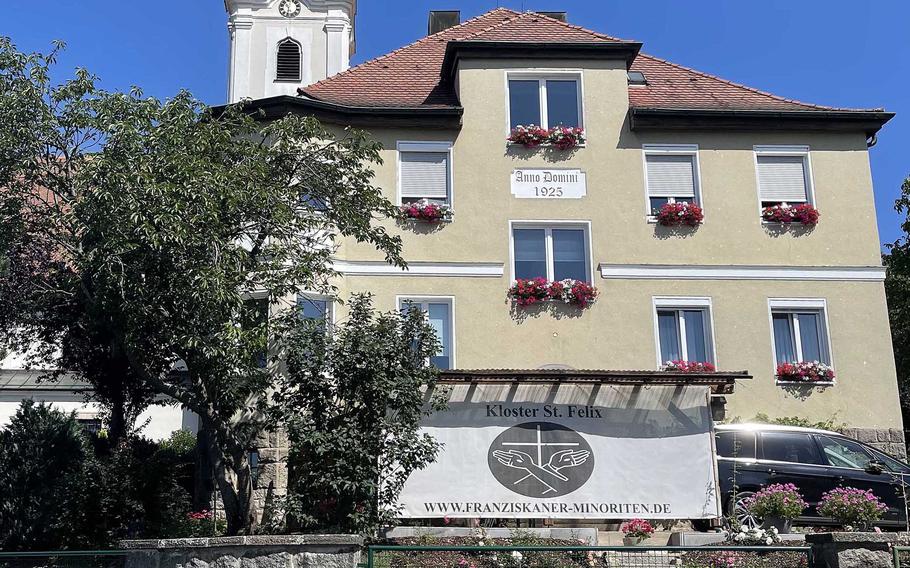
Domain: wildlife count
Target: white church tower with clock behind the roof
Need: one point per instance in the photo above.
(280, 45)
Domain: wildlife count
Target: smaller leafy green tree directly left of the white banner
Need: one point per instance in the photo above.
(352, 400)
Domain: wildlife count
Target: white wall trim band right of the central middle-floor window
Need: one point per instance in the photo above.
(742, 272)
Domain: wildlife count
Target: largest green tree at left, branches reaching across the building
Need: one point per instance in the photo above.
(138, 230)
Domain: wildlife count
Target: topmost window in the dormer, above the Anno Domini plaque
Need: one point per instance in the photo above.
(544, 101)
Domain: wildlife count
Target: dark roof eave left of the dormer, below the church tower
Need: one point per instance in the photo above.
(272, 108)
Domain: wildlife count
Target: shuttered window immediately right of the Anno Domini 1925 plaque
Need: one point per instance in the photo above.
(670, 175)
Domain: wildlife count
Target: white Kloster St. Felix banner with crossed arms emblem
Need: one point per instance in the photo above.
(570, 451)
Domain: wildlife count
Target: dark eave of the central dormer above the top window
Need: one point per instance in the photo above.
(456, 50)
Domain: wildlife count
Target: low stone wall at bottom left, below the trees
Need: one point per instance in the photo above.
(294, 551)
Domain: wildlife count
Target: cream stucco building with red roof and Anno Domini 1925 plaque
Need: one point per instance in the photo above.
(736, 290)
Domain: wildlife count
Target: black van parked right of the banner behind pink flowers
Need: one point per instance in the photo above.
(750, 456)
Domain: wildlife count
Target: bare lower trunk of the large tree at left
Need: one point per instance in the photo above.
(235, 484)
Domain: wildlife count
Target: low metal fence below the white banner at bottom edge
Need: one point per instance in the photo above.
(587, 557)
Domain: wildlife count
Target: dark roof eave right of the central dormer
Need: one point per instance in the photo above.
(867, 121)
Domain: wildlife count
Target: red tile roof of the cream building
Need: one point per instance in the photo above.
(409, 77)
